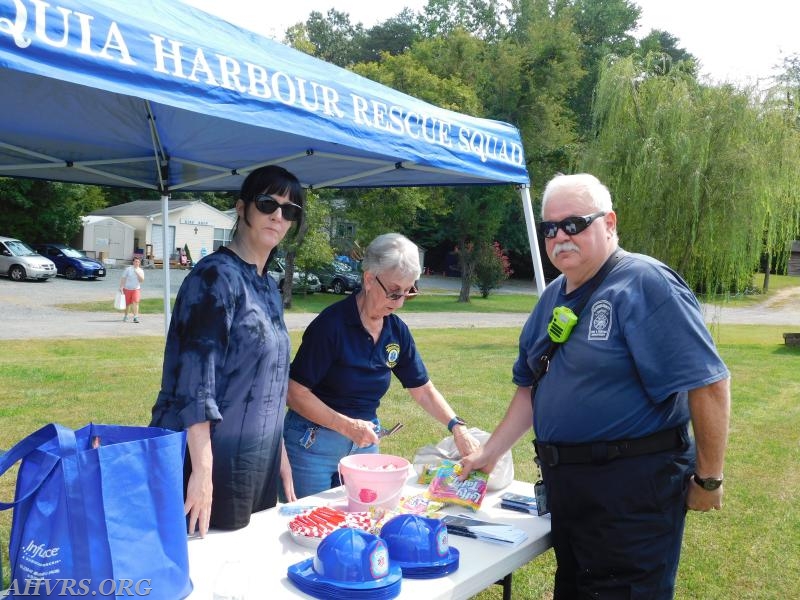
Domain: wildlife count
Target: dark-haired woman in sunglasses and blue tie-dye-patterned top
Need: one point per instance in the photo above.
(226, 363)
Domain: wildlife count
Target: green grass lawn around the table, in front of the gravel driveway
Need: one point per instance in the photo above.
(748, 550)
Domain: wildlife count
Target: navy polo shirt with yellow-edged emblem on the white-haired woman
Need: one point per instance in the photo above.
(339, 362)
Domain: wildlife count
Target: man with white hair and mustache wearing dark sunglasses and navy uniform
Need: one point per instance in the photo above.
(610, 395)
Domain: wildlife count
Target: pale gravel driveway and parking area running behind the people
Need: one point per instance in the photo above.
(29, 310)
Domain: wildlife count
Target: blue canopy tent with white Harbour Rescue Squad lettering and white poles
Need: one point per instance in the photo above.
(156, 95)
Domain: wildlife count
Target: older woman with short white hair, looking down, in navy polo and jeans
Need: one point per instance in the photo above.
(344, 366)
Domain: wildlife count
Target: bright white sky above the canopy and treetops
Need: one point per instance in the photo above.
(737, 41)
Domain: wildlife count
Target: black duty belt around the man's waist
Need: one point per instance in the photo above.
(603, 452)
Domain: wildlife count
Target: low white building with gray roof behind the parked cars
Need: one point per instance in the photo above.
(192, 223)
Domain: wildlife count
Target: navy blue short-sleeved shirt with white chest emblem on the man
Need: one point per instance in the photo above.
(640, 344)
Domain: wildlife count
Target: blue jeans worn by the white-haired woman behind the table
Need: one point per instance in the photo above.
(315, 456)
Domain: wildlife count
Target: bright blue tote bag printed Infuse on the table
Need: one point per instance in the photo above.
(98, 512)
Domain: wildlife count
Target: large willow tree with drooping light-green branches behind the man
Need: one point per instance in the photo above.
(692, 171)
